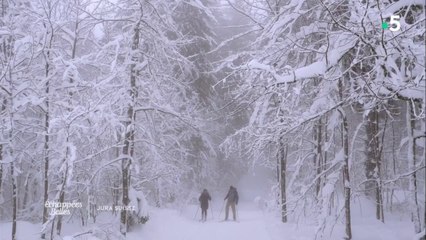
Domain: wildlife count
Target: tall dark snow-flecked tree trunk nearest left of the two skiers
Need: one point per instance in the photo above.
(129, 135)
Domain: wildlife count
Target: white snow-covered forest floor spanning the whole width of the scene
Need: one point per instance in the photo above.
(253, 224)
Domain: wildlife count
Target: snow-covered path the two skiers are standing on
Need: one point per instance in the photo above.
(168, 224)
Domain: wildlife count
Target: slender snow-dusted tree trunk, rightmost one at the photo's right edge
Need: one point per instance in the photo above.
(411, 157)
